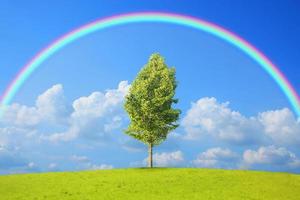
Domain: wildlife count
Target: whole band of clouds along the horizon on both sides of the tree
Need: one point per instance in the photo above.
(228, 139)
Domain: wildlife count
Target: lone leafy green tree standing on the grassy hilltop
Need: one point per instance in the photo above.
(149, 104)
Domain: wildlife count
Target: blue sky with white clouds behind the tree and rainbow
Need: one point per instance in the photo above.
(69, 116)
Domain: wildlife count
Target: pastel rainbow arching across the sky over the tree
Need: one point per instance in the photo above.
(161, 17)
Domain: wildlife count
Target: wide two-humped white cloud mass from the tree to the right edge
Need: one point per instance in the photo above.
(209, 117)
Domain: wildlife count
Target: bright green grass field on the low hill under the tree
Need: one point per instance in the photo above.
(160, 183)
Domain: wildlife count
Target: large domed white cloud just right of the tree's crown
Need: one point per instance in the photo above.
(208, 117)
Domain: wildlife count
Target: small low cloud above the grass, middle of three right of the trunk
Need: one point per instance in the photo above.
(216, 158)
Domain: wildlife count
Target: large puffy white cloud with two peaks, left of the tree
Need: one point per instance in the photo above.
(92, 117)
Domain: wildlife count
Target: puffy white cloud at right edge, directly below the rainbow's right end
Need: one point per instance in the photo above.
(281, 126)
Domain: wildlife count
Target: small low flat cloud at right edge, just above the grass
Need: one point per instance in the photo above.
(270, 156)
